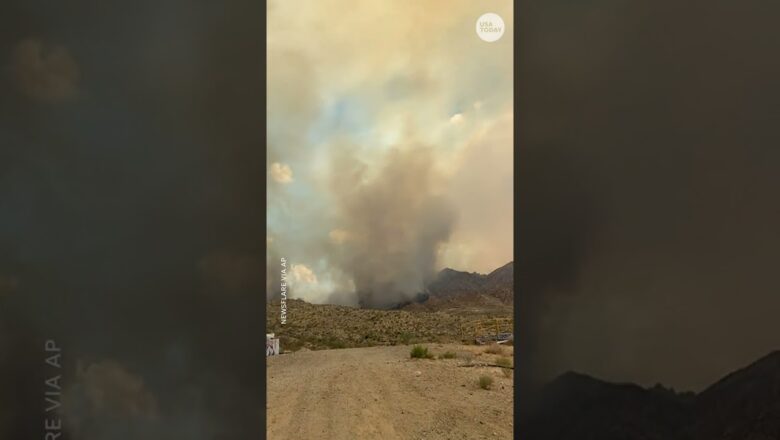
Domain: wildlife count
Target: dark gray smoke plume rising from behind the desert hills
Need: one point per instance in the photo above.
(394, 223)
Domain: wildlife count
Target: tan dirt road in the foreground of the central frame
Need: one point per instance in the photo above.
(380, 393)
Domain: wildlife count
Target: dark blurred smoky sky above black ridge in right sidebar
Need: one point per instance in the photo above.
(648, 172)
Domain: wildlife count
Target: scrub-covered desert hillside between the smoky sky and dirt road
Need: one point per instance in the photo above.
(445, 313)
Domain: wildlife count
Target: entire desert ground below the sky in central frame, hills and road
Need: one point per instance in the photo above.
(398, 373)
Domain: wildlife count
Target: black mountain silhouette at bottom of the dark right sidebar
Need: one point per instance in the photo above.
(744, 405)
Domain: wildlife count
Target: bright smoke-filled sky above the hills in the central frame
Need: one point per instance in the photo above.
(390, 147)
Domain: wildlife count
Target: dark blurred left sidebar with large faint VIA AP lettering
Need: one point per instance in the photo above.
(131, 220)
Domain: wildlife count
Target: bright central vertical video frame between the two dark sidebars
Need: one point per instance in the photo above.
(390, 220)
